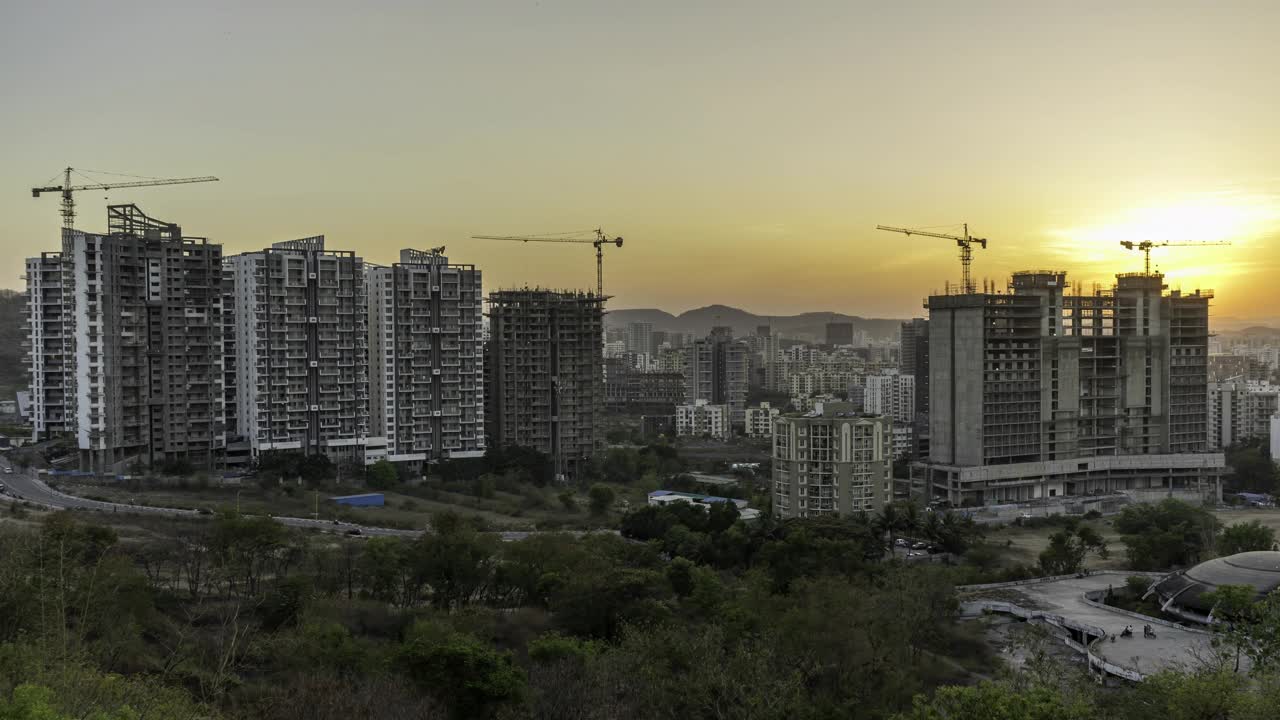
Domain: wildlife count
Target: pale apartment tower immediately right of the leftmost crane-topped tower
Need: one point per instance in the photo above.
(299, 359)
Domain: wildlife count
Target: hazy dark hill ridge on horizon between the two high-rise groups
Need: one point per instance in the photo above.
(703, 320)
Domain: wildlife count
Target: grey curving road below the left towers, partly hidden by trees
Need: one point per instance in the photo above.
(28, 486)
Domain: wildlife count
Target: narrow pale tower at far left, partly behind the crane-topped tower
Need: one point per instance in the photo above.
(52, 364)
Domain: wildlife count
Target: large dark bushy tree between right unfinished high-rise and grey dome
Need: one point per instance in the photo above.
(1165, 535)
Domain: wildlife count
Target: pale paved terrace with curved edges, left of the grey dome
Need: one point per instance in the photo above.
(1172, 648)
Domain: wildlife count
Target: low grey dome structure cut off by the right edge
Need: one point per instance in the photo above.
(1183, 594)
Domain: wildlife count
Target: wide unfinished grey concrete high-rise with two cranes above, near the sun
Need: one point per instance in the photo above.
(1040, 394)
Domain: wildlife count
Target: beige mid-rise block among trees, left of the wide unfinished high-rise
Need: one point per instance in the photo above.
(831, 462)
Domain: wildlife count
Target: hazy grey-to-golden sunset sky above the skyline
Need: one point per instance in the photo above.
(746, 151)
